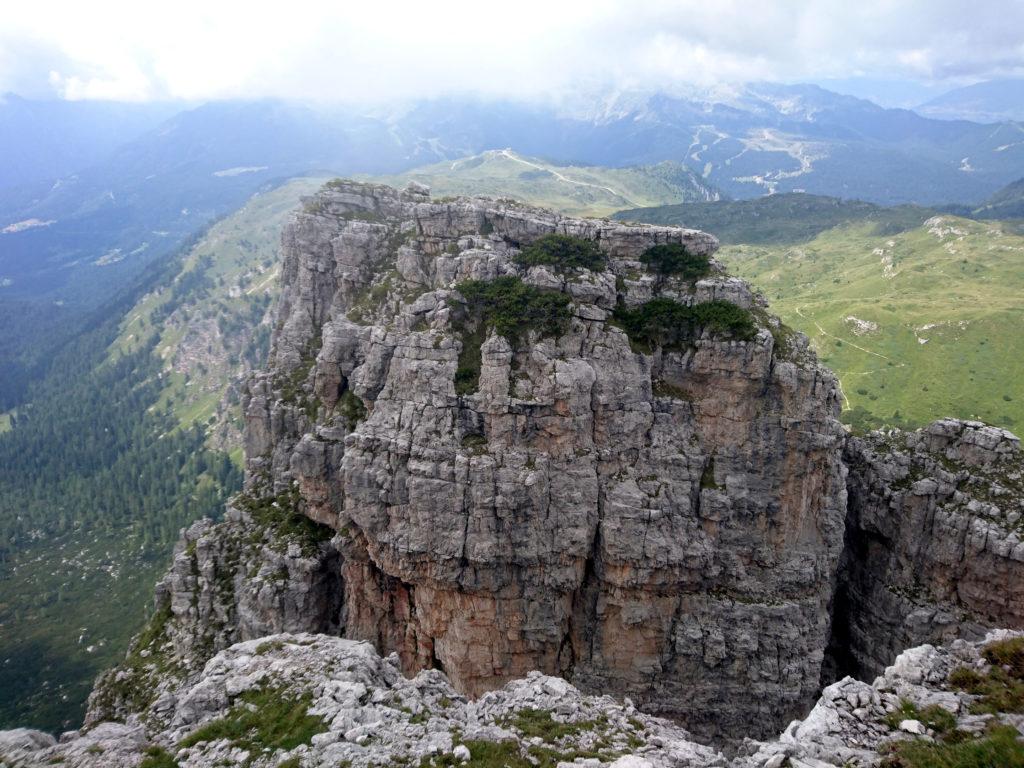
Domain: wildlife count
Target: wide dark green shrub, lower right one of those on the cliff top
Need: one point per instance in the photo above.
(667, 324)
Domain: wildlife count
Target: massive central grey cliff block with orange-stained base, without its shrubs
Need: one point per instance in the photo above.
(665, 527)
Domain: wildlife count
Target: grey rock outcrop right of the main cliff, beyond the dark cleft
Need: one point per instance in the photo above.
(935, 541)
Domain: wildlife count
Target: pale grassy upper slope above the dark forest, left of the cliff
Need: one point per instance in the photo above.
(212, 324)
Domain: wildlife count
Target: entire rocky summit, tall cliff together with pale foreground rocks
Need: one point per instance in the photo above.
(505, 461)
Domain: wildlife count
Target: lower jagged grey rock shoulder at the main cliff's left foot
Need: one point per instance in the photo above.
(245, 578)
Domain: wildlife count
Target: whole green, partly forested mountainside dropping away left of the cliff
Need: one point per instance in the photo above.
(133, 436)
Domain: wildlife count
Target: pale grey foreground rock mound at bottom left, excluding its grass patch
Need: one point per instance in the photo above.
(367, 714)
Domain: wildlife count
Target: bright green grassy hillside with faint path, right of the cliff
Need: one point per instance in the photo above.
(919, 325)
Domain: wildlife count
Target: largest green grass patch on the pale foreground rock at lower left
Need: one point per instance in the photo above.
(264, 719)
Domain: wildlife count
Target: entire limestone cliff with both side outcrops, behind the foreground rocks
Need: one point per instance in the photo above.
(667, 523)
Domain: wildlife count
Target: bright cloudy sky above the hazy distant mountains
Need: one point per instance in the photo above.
(382, 50)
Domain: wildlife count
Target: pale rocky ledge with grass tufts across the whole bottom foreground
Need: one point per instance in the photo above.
(314, 701)
